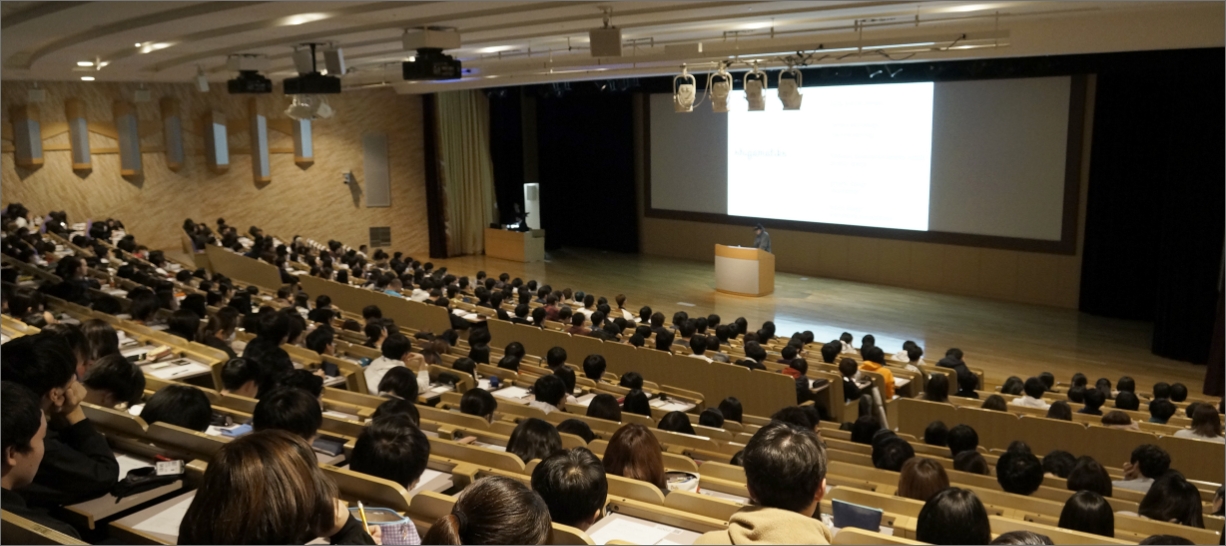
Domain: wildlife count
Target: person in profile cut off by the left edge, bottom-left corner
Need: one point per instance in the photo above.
(24, 435)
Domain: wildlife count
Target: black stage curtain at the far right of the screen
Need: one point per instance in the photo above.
(1156, 212)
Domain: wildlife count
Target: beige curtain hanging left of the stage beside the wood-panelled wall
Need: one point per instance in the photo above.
(466, 170)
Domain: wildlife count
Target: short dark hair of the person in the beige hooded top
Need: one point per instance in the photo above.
(784, 467)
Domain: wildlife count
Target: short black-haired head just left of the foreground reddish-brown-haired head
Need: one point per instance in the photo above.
(573, 484)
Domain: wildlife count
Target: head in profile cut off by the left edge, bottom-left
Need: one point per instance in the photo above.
(24, 430)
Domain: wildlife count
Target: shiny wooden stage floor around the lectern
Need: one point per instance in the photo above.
(1005, 339)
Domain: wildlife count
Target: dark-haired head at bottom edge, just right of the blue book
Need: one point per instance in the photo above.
(953, 517)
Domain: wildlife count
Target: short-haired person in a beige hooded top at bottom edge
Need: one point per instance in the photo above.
(786, 475)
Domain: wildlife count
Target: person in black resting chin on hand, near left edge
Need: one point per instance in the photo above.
(78, 463)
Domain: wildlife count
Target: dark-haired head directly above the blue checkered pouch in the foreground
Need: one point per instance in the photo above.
(393, 448)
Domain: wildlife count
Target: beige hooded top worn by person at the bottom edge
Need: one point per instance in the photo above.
(769, 526)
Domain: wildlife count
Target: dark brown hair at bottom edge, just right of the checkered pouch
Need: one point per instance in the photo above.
(495, 511)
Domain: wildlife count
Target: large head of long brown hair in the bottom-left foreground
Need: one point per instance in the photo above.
(265, 488)
